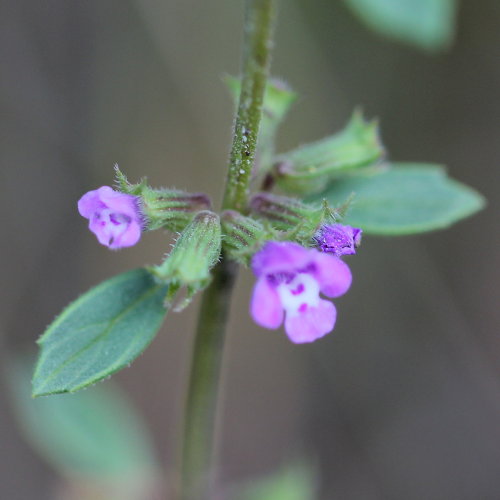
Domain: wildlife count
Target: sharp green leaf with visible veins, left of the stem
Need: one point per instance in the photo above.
(100, 333)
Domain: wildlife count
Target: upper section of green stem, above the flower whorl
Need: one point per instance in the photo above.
(257, 49)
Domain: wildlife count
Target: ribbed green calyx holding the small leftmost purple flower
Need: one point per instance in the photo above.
(164, 208)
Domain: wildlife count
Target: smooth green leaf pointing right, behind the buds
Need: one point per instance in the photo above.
(405, 199)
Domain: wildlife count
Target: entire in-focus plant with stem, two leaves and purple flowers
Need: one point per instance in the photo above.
(291, 217)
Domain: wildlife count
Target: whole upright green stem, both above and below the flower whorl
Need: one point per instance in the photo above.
(200, 409)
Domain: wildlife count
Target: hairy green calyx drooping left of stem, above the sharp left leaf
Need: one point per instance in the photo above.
(194, 253)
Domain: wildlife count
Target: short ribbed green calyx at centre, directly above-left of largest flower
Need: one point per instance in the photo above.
(242, 236)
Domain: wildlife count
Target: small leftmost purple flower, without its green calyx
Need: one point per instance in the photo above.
(114, 217)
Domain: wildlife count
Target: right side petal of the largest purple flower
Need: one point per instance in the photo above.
(333, 274)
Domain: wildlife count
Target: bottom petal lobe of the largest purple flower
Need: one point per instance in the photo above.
(312, 323)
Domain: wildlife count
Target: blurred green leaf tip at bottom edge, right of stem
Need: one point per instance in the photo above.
(296, 482)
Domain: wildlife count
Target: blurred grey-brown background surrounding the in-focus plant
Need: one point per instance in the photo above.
(402, 401)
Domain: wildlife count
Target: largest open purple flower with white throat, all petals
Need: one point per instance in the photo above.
(289, 280)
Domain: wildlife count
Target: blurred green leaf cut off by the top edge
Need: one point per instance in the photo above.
(427, 24)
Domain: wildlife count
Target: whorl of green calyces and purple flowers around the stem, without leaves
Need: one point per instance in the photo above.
(271, 226)
